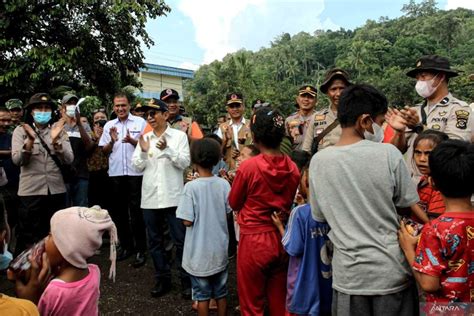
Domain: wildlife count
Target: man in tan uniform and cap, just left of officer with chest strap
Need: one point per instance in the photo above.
(297, 123)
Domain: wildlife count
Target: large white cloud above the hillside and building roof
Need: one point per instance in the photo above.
(224, 26)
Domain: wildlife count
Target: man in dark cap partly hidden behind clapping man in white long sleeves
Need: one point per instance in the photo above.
(178, 121)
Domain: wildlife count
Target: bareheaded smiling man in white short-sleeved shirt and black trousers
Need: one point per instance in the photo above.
(118, 140)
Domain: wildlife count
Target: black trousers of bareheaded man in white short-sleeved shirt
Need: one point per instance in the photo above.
(126, 212)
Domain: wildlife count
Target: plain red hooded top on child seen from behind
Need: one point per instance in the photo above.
(263, 184)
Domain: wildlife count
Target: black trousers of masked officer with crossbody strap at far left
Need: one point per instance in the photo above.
(34, 217)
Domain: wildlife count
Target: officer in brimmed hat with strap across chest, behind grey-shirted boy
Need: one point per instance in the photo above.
(324, 128)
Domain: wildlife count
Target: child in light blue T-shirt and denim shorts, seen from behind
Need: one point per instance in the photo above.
(203, 207)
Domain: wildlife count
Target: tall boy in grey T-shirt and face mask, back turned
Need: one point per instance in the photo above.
(357, 186)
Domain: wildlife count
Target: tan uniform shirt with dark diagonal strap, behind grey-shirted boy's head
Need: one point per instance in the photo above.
(320, 121)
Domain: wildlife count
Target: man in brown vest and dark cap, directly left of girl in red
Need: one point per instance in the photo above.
(235, 133)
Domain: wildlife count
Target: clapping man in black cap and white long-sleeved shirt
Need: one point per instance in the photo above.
(162, 155)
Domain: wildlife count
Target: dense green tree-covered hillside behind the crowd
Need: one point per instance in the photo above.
(379, 53)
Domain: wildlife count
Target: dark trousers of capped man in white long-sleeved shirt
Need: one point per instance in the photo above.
(154, 219)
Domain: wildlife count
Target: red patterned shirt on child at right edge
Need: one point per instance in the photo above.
(446, 250)
